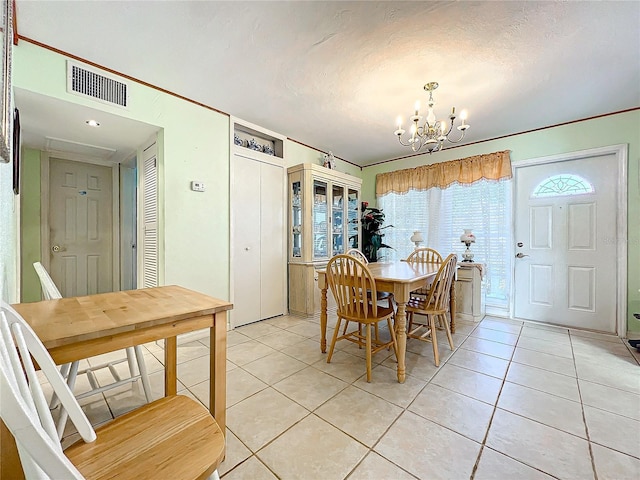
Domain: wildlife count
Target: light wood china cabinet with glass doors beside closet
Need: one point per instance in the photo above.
(324, 220)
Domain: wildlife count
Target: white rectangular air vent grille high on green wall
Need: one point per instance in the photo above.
(88, 82)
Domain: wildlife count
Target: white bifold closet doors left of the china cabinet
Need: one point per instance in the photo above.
(258, 234)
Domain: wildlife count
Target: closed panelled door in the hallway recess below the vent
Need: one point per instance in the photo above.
(80, 223)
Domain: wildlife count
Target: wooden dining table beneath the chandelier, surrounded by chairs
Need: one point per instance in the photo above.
(400, 278)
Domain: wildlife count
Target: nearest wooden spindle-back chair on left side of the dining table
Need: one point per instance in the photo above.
(353, 285)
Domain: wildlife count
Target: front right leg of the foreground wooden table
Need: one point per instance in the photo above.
(218, 370)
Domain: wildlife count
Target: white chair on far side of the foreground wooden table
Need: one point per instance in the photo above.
(70, 370)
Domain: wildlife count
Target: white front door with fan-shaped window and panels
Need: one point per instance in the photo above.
(565, 234)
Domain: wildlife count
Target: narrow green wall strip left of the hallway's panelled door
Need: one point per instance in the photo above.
(30, 225)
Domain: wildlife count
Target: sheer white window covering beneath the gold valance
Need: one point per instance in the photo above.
(443, 214)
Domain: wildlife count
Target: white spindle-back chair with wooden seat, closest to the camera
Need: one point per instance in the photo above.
(174, 437)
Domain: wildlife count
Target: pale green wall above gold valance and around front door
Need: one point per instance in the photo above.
(623, 128)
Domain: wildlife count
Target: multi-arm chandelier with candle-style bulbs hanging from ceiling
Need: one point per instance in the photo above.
(432, 133)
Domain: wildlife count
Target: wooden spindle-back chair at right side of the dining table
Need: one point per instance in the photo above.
(435, 306)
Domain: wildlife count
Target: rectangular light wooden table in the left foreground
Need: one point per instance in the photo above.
(80, 327)
